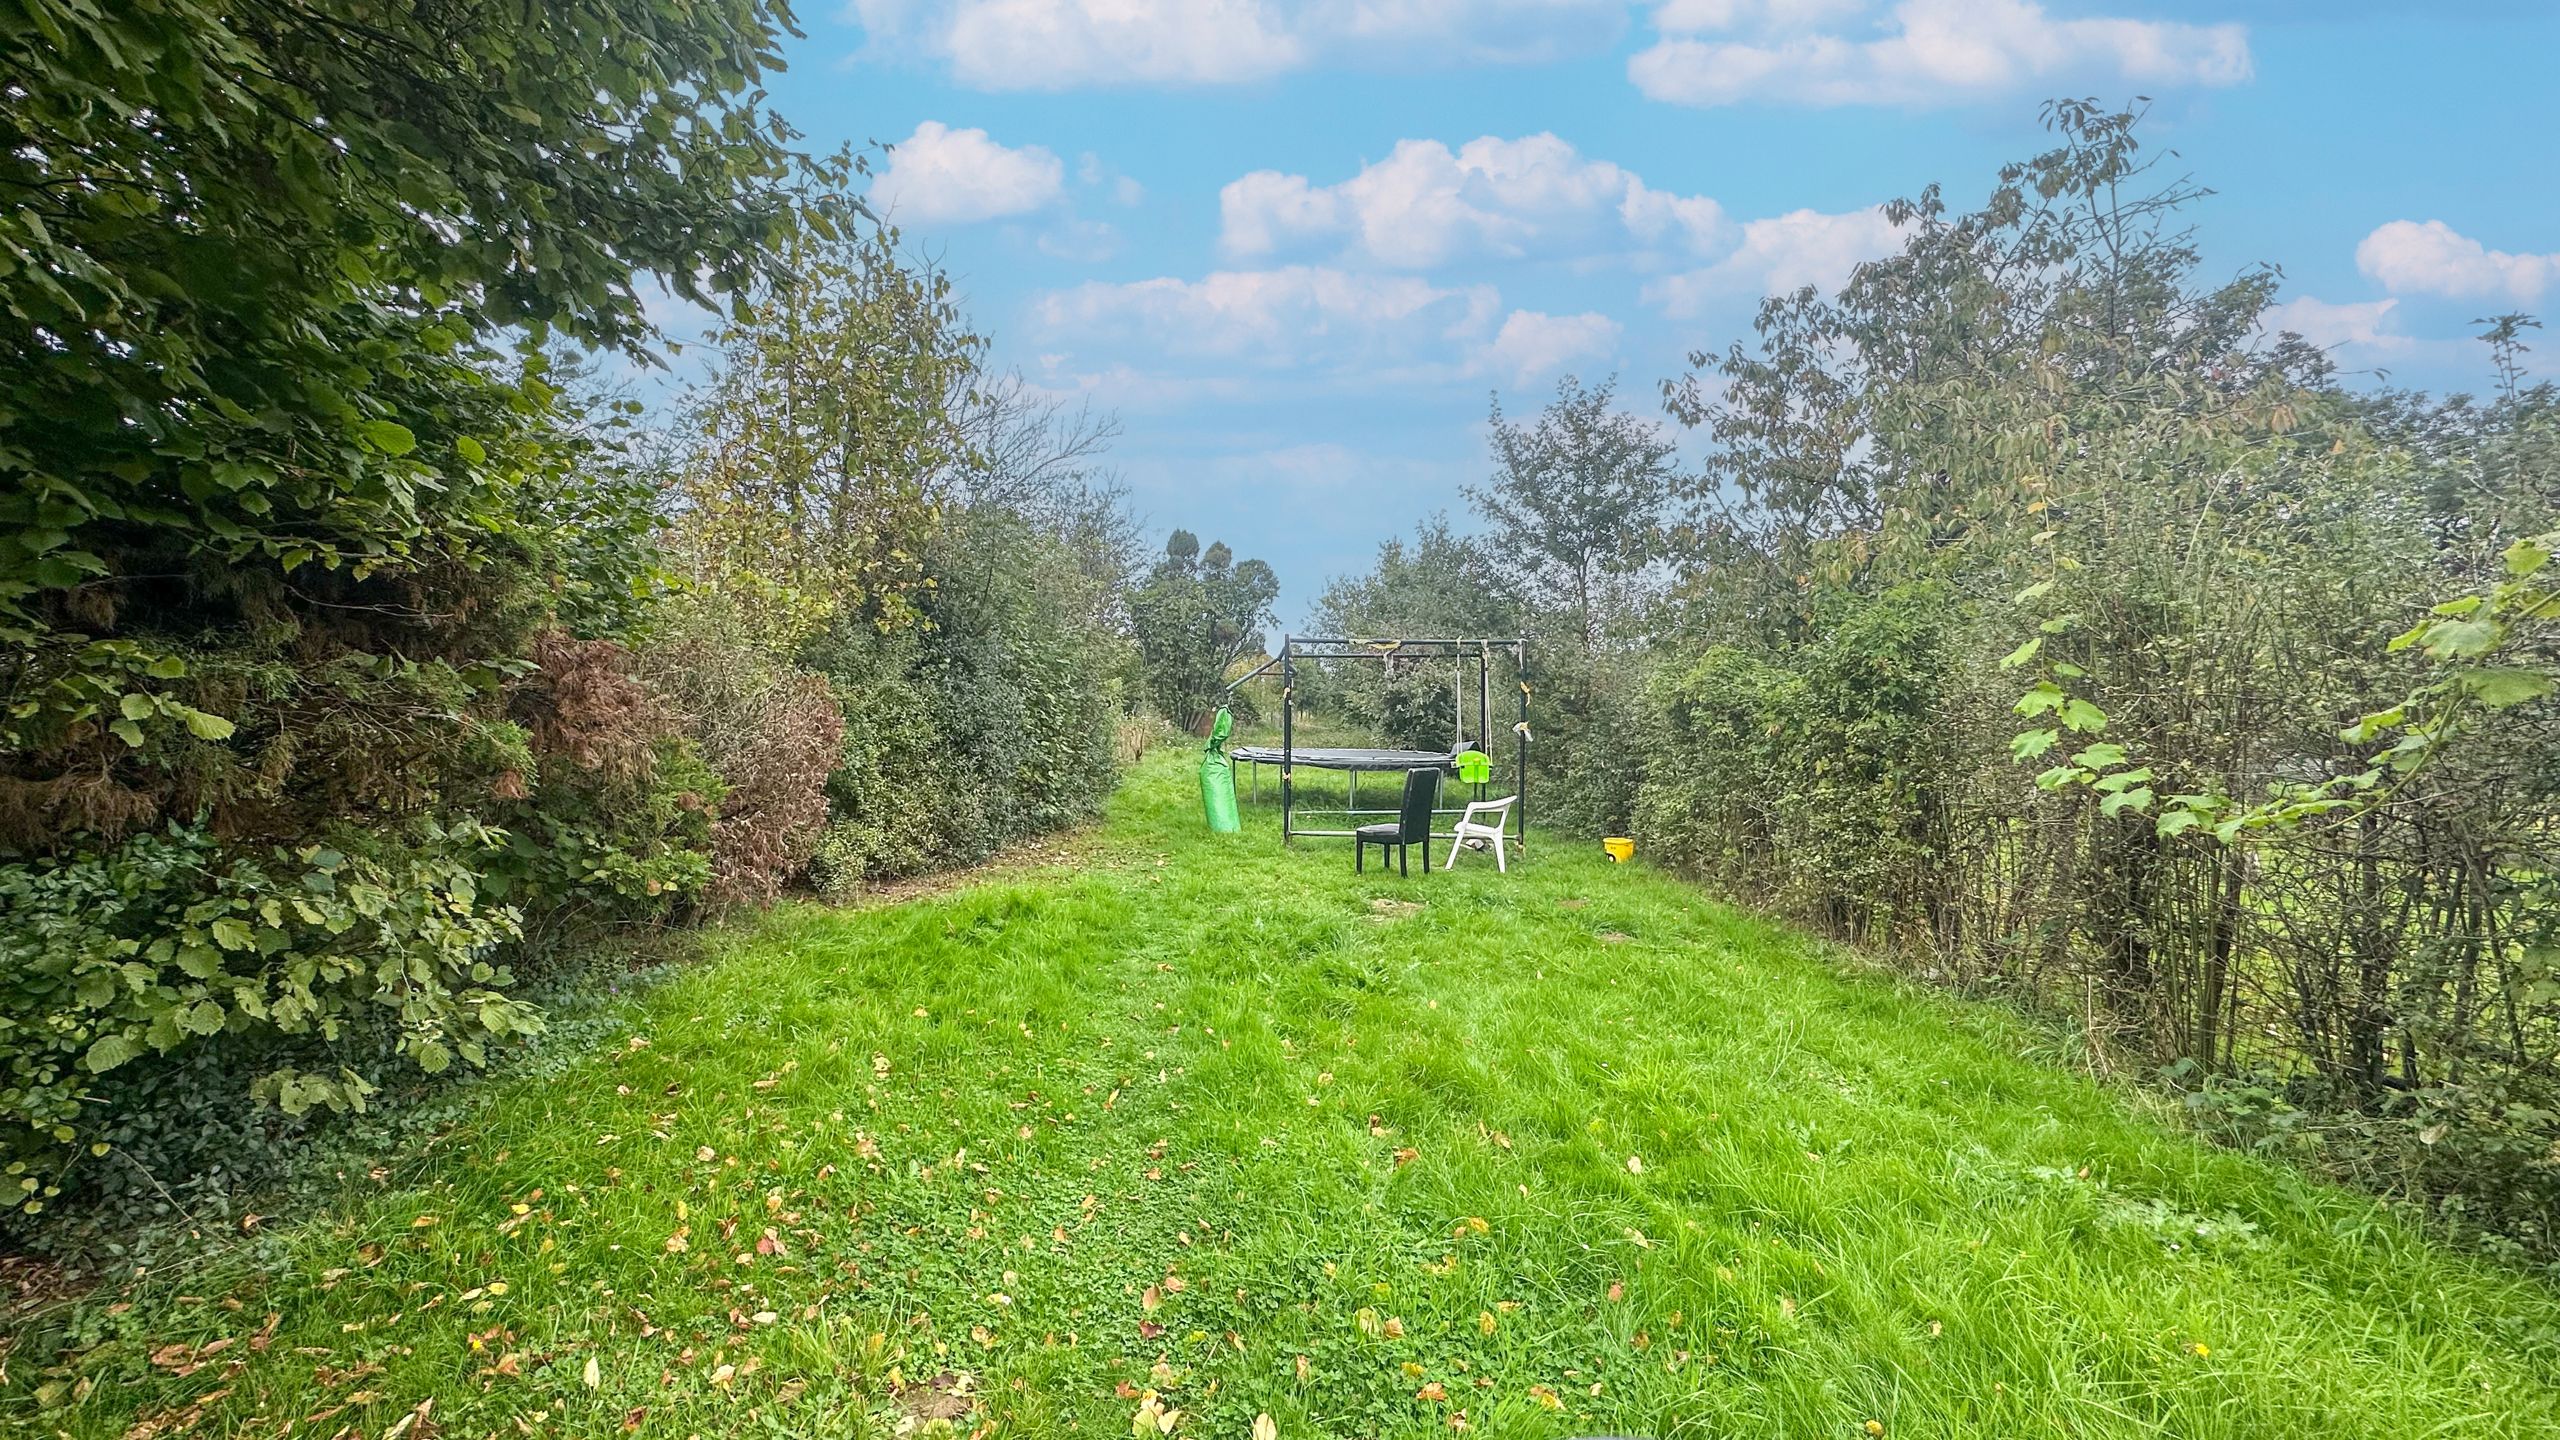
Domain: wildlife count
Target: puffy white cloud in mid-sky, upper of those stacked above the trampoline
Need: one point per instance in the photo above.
(1427, 206)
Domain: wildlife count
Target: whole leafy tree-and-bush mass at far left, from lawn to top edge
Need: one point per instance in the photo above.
(298, 514)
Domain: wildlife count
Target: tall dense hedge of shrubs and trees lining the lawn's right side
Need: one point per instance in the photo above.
(2067, 634)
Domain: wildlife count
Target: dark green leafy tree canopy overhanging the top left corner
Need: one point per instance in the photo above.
(244, 340)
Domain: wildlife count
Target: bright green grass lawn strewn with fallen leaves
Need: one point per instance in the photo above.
(1194, 1131)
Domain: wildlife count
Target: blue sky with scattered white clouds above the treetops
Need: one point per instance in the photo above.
(1302, 245)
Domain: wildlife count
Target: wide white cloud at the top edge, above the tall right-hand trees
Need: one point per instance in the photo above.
(1929, 53)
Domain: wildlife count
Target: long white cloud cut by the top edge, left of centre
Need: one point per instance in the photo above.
(1061, 45)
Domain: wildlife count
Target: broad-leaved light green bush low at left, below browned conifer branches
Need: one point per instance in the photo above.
(170, 937)
